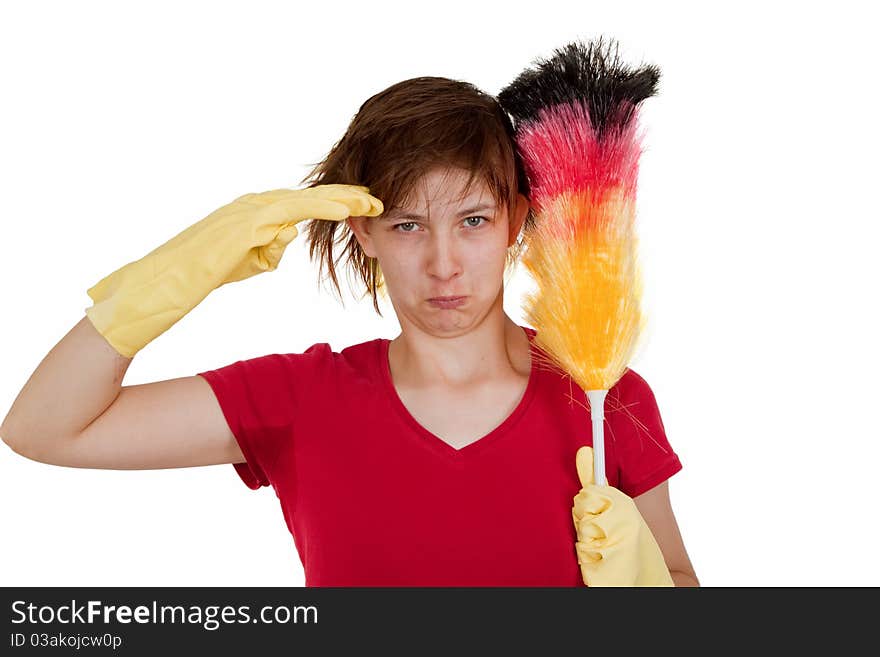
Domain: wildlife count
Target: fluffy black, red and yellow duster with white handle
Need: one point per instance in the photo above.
(575, 128)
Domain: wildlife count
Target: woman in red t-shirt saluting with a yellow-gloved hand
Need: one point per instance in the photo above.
(442, 457)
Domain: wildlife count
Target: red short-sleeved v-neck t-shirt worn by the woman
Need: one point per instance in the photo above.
(372, 498)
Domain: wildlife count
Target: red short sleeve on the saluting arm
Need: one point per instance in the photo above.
(260, 398)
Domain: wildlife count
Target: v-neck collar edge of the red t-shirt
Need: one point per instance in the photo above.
(434, 442)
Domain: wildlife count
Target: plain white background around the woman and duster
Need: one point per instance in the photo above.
(123, 123)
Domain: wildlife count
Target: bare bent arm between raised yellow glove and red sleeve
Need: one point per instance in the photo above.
(74, 411)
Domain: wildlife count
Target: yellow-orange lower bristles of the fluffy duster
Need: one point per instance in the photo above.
(582, 256)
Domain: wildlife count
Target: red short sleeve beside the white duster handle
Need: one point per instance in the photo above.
(645, 457)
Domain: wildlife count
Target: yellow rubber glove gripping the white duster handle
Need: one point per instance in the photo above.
(614, 545)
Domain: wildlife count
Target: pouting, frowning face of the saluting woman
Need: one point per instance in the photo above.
(443, 243)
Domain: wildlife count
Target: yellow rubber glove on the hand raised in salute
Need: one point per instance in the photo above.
(140, 301)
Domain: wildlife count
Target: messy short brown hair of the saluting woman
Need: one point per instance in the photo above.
(397, 136)
